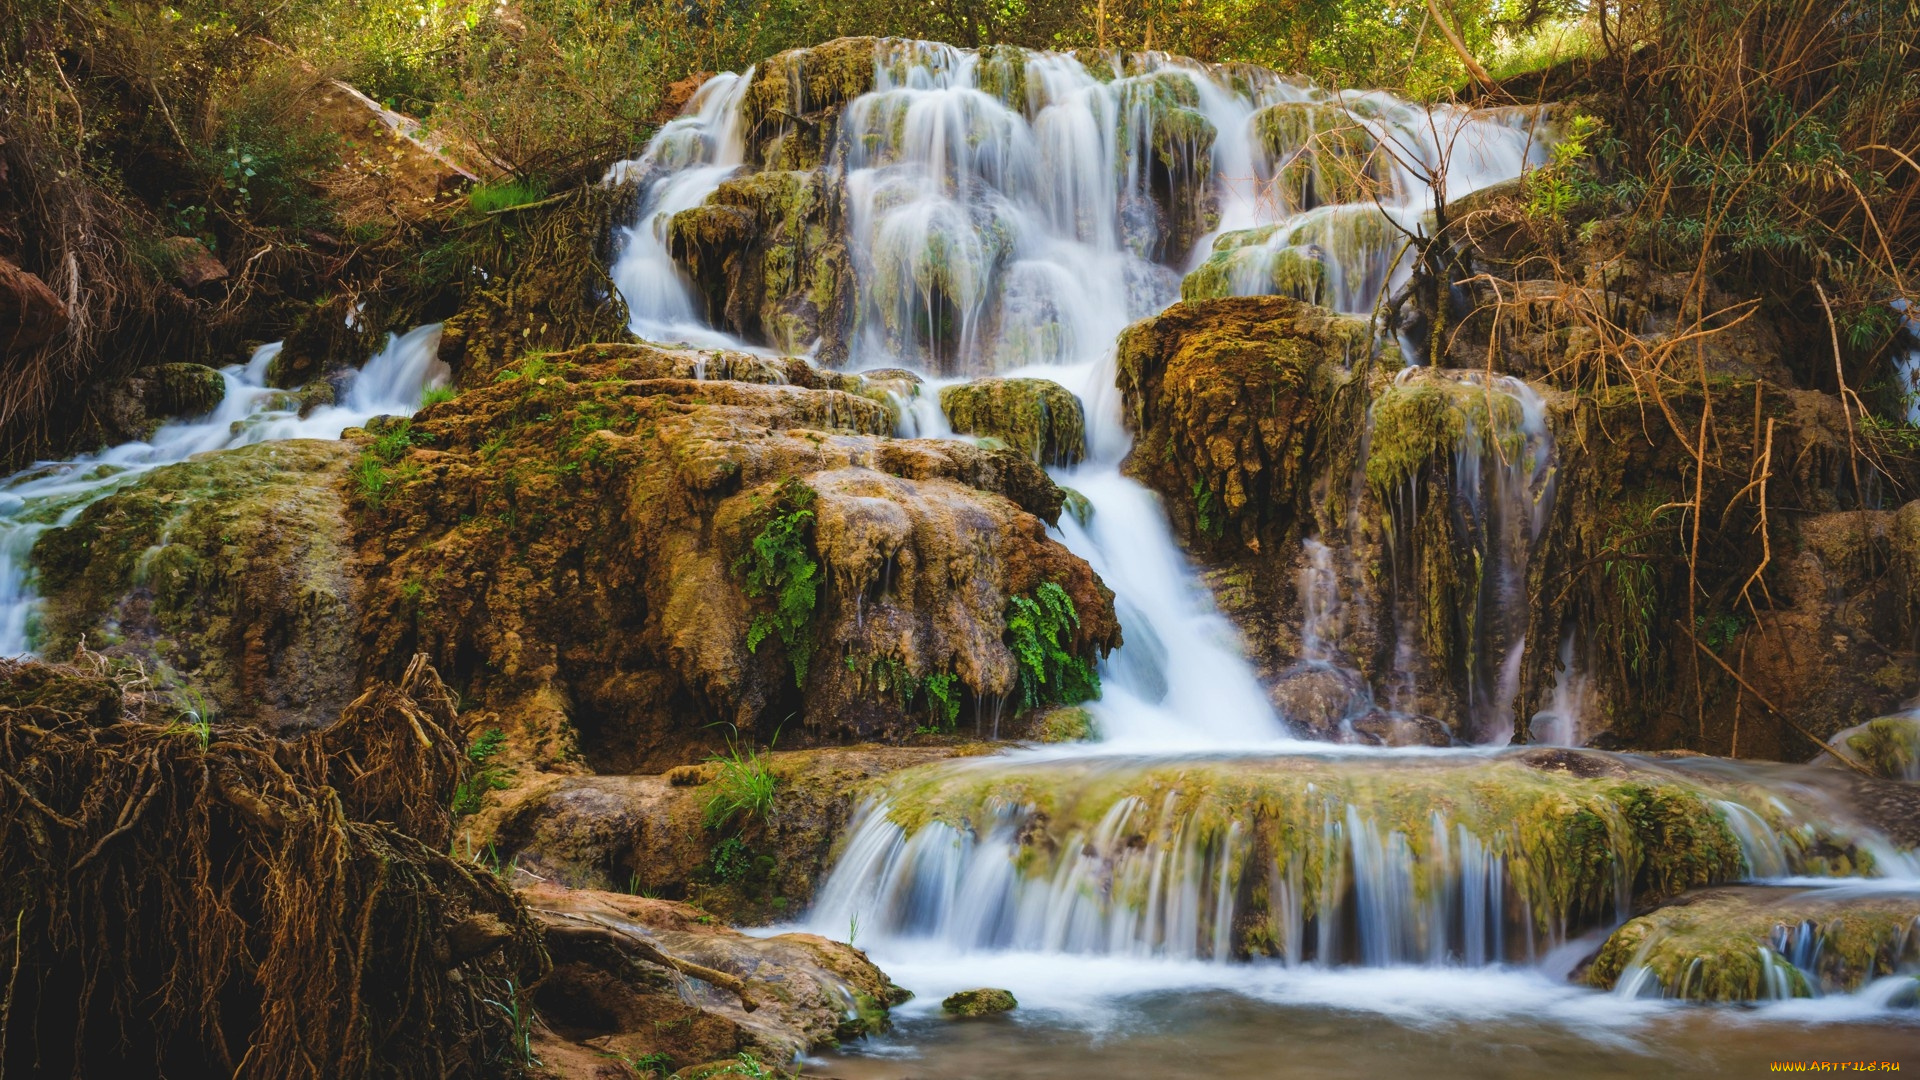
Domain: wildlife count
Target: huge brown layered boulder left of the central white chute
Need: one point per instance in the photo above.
(504, 508)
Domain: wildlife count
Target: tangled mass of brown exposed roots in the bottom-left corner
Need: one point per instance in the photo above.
(214, 902)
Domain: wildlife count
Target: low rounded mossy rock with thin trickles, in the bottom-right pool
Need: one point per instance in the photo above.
(1748, 945)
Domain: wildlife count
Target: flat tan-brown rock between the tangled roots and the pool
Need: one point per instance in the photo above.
(648, 977)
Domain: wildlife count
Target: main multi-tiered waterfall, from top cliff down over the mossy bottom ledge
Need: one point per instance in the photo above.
(1015, 228)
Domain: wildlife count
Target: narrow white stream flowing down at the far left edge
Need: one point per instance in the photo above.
(55, 493)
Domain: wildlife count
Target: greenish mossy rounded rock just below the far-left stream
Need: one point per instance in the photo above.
(231, 572)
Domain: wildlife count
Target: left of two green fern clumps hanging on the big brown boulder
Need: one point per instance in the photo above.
(780, 564)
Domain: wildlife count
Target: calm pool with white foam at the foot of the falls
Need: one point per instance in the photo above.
(1364, 1023)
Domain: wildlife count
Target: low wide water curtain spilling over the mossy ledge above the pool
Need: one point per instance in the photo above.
(1308, 862)
